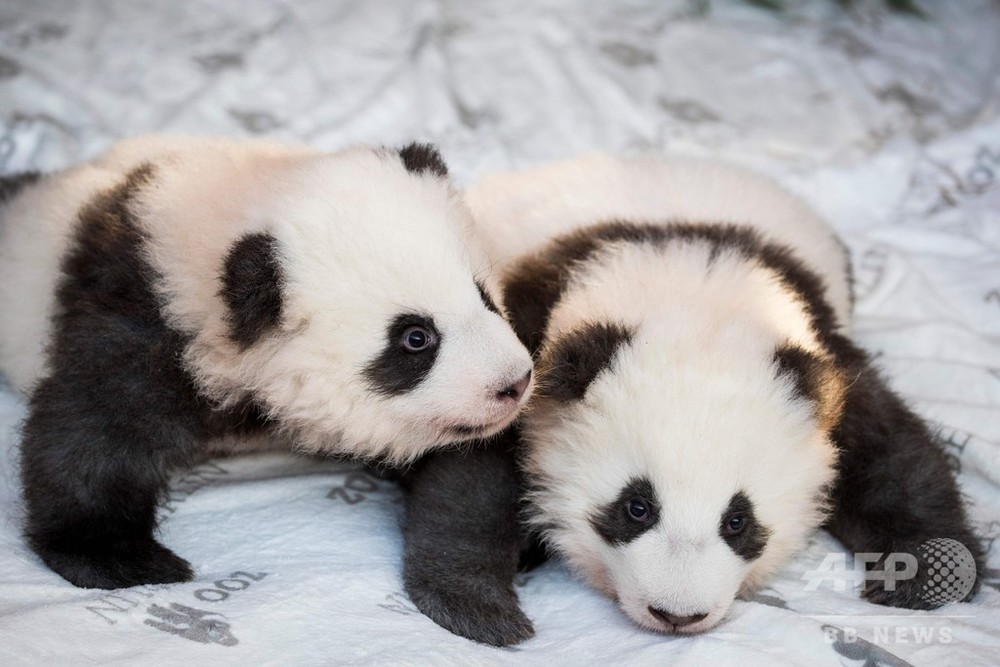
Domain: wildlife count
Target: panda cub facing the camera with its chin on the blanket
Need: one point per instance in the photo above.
(700, 409)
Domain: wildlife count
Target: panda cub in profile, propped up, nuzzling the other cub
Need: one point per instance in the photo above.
(176, 291)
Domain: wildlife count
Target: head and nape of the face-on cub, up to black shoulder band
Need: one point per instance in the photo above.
(677, 448)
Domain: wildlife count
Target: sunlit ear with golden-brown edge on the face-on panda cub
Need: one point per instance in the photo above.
(816, 379)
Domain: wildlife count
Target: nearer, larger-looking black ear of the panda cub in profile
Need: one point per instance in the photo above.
(251, 288)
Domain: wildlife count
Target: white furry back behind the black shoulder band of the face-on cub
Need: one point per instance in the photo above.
(518, 212)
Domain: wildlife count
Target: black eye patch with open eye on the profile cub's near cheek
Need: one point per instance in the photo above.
(411, 347)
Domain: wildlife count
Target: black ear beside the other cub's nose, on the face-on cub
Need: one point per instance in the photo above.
(571, 364)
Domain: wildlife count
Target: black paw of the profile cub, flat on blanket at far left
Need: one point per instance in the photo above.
(132, 564)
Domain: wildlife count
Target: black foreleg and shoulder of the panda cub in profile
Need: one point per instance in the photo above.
(115, 411)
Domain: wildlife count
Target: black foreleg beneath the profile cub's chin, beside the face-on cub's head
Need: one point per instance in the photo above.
(462, 542)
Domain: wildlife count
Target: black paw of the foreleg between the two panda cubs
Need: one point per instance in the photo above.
(486, 612)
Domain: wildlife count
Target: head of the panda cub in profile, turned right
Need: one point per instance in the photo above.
(353, 305)
